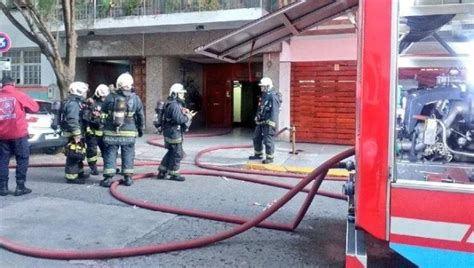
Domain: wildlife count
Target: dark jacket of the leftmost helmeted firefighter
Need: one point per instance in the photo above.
(71, 123)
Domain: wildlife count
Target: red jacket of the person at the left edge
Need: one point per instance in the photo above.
(13, 104)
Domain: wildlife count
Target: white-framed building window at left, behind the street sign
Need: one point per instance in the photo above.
(25, 66)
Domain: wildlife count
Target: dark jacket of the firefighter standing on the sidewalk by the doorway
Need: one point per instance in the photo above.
(269, 108)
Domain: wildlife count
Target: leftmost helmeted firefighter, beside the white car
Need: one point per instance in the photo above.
(72, 127)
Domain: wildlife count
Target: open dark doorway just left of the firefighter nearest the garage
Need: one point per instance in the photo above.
(245, 96)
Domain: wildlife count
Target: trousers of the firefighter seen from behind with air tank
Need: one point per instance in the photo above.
(127, 152)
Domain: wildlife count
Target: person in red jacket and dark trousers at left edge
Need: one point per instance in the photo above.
(14, 134)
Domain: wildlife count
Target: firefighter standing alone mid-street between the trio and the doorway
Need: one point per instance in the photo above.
(176, 119)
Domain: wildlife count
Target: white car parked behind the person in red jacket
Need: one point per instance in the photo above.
(41, 135)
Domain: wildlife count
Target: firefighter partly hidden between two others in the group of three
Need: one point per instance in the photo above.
(94, 130)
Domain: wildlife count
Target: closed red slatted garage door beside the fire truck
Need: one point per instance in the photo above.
(323, 101)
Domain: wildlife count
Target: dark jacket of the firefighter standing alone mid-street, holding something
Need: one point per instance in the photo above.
(176, 121)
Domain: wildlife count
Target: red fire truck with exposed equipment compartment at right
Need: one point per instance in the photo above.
(413, 185)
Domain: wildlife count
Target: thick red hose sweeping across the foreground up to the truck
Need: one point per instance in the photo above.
(317, 175)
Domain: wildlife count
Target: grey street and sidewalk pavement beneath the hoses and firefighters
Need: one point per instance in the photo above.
(64, 216)
